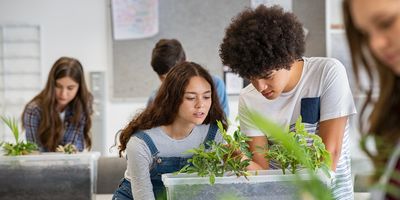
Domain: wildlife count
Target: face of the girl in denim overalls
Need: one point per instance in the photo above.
(196, 101)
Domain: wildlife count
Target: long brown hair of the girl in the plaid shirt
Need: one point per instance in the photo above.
(50, 130)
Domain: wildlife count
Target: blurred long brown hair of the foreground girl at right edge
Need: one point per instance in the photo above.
(384, 120)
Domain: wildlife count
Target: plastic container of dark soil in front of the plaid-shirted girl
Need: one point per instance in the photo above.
(55, 176)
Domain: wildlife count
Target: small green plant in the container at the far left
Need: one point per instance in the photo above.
(20, 147)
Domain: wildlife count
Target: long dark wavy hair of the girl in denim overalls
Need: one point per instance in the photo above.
(163, 111)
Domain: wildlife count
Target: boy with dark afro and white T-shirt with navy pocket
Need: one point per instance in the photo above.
(266, 46)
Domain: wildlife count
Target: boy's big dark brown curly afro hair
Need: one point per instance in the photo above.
(261, 40)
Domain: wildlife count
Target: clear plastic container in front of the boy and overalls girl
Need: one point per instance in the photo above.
(266, 184)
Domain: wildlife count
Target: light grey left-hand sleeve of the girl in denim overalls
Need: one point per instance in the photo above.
(139, 162)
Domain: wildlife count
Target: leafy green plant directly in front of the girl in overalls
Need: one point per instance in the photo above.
(220, 158)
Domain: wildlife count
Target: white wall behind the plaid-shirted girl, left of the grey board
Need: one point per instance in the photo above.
(75, 28)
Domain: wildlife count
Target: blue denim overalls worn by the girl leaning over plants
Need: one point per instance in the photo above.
(161, 165)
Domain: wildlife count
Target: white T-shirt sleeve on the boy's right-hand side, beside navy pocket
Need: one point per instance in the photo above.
(336, 98)
